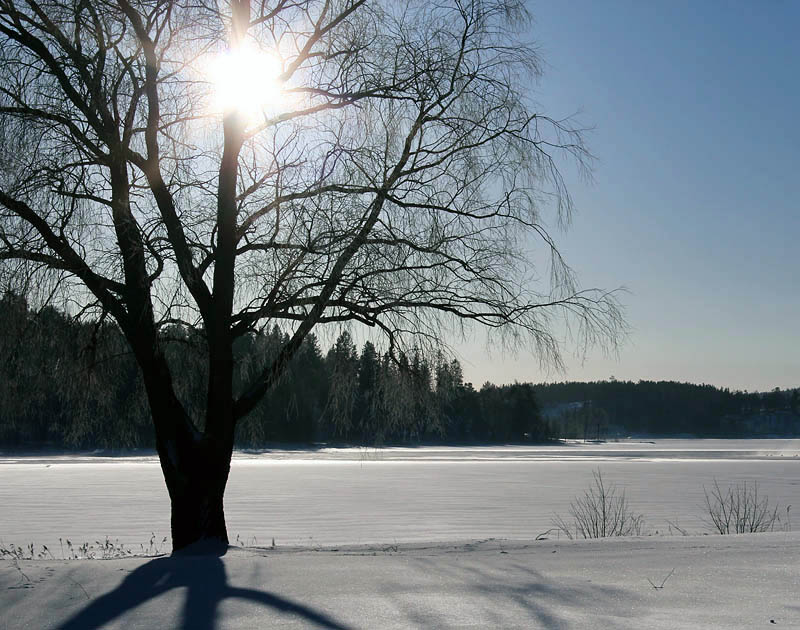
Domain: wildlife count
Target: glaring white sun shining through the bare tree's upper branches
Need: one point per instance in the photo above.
(246, 80)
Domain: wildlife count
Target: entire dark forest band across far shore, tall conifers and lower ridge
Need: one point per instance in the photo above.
(69, 384)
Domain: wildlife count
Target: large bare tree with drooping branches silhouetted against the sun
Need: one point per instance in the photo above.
(391, 174)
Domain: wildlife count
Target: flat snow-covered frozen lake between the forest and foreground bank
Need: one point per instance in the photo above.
(333, 496)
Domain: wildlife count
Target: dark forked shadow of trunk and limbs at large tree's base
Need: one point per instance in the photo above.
(206, 585)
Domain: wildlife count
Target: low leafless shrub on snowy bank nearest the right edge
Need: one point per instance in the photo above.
(740, 509)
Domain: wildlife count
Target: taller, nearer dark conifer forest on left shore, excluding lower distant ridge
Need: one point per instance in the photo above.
(69, 384)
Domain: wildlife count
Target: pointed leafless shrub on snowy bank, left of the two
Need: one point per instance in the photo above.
(602, 511)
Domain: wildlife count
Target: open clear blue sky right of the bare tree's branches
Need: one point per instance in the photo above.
(694, 205)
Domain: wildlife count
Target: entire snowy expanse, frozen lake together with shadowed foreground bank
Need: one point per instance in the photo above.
(400, 519)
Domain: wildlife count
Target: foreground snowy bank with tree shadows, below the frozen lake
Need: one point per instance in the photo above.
(747, 581)
